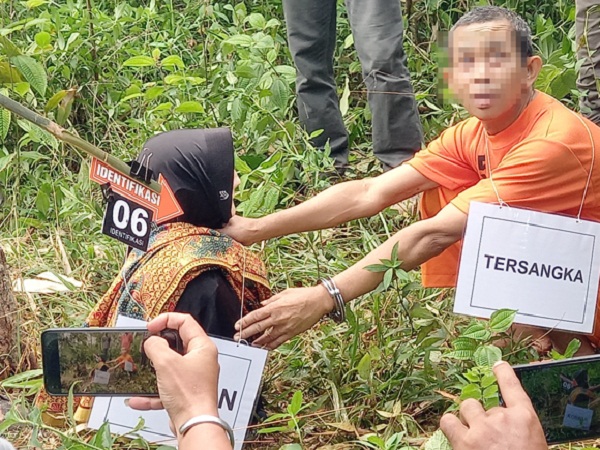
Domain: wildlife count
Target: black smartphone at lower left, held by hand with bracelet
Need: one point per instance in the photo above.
(100, 361)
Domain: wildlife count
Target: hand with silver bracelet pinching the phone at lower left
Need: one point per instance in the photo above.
(187, 384)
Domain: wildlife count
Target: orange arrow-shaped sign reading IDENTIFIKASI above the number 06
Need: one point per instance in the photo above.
(164, 205)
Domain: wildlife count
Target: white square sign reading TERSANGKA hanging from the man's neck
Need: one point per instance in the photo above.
(545, 266)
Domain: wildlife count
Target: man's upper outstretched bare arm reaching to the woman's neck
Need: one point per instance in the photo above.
(334, 206)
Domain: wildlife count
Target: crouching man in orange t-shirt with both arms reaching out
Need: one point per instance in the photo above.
(539, 154)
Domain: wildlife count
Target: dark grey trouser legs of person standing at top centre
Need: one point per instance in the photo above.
(377, 30)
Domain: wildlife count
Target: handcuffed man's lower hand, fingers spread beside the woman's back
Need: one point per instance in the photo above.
(285, 315)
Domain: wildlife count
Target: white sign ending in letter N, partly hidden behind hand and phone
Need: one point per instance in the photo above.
(239, 383)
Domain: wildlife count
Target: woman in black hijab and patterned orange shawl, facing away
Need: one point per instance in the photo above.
(189, 266)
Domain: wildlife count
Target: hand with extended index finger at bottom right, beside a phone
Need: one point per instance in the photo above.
(515, 427)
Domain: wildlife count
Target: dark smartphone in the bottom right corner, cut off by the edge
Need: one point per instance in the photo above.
(566, 397)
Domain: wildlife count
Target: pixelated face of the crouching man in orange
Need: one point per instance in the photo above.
(487, 74)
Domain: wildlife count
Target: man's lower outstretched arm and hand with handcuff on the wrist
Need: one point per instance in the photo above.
(293, 311)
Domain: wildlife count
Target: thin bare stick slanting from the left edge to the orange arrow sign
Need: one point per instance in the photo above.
(63, 135)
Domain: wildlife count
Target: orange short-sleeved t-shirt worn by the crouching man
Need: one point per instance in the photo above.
(541, 162)
